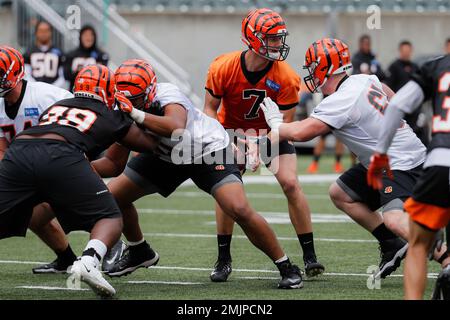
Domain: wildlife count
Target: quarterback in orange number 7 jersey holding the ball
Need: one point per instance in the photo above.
(236, 85)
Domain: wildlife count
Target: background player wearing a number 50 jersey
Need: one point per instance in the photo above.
(44, 62)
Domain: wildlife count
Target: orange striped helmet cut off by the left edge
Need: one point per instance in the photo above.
(12, 69)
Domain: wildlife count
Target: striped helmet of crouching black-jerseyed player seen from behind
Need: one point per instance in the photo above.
(96, 82)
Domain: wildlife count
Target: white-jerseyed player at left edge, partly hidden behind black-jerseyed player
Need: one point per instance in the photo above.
(21, 104)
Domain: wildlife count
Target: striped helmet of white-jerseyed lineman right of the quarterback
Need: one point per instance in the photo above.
(324, 58)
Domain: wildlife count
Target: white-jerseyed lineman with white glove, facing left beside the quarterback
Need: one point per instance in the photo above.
(352, 111)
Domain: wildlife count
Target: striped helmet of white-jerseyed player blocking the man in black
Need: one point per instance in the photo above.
(136, 79)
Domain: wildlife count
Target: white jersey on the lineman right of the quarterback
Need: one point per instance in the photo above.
(355, 112)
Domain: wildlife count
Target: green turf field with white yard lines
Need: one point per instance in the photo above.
(182, 229)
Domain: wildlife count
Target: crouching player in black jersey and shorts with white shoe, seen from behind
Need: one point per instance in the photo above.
(48, 163)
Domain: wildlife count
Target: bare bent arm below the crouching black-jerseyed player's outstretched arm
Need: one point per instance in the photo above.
(113, 162)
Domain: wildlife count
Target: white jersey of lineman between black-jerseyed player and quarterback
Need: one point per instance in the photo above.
(202, 136)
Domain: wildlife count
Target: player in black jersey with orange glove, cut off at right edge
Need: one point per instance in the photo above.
(429, 205)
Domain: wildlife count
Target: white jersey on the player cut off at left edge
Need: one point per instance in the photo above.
(37, 98)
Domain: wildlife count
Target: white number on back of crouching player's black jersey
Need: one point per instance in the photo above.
(80, 119)
